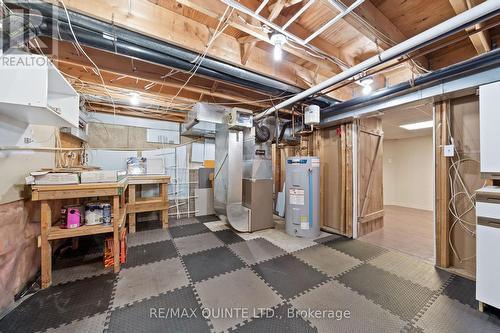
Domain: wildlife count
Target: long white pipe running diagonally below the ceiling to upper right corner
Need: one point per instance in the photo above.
(453, 23)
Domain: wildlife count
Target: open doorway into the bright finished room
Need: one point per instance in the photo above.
(407, 176)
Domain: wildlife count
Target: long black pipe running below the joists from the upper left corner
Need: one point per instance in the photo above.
(89, 32)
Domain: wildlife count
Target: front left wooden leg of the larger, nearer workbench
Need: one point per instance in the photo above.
(46, 253)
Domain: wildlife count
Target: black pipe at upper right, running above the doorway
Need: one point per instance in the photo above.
(490, 59)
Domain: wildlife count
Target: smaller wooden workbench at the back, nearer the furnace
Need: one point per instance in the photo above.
(137, 204)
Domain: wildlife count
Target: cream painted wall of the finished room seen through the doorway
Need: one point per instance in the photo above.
(408, 166)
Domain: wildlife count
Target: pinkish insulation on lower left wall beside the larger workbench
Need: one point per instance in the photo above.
(19, 254)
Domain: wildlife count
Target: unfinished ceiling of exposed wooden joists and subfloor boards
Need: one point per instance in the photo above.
(244, 41)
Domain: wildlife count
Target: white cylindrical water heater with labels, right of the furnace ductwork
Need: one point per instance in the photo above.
(302, 197)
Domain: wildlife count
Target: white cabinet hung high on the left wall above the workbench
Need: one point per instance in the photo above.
(32, 90)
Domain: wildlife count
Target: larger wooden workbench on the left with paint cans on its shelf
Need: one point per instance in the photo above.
(47, 193)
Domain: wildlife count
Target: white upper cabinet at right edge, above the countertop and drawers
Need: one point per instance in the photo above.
(489, 114)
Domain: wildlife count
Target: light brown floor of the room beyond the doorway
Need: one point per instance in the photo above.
(407, 230)
